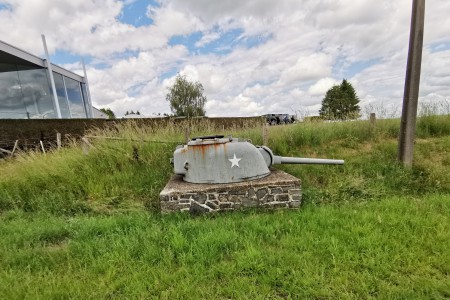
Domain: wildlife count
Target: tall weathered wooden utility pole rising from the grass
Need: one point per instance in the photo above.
(412, 81)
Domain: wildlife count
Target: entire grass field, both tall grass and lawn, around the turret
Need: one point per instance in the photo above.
(87, 226)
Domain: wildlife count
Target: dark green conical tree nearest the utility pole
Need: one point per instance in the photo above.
(340, 102)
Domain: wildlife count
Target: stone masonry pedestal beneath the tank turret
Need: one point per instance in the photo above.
(278, 190)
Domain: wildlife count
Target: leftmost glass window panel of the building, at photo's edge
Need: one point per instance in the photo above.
(11, 102)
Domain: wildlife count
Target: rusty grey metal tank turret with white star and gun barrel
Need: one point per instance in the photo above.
(216, 159)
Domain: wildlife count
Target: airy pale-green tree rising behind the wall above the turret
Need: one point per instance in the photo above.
(186, 98)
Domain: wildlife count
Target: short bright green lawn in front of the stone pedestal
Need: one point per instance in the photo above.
(392, 248)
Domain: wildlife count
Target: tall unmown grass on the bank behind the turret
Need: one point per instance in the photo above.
(127, 173)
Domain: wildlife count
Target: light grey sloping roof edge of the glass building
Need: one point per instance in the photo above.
(14, 55)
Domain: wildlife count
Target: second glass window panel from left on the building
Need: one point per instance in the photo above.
(36, 93)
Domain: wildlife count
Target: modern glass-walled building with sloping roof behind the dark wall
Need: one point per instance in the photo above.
(26, 89)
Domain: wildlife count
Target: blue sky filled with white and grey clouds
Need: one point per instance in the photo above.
(252, 56)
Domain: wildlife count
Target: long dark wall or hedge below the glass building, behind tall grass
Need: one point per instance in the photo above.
(31, 132)
